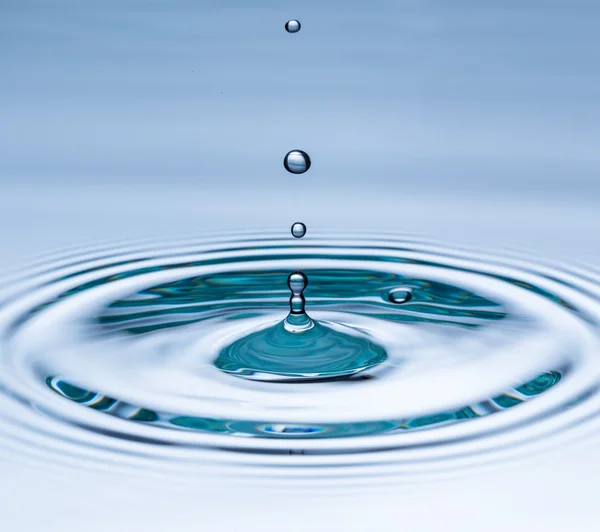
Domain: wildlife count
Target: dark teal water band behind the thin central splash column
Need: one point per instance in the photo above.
(365, 292)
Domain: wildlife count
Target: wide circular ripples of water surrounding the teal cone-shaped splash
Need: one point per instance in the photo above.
(108, 356)
